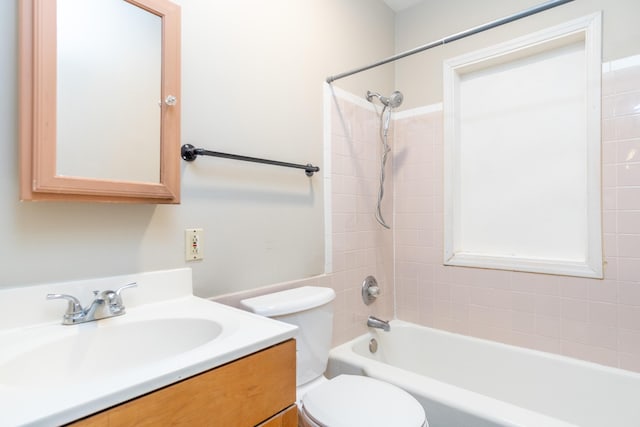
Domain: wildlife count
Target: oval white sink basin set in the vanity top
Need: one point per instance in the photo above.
(96, 349)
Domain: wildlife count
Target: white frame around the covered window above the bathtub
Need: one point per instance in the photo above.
(590, 263)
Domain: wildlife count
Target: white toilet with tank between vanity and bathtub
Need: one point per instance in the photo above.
(346, 400)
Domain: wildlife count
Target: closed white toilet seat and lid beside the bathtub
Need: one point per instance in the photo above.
(352, 400)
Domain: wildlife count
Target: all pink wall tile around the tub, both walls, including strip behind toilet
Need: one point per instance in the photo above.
(595, 320)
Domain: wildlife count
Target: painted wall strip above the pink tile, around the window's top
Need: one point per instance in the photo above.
(420, 76)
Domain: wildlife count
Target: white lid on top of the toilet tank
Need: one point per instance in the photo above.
(289, 301)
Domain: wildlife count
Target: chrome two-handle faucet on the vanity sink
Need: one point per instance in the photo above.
(105, 304)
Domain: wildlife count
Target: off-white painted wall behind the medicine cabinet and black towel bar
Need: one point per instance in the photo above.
(252, 75)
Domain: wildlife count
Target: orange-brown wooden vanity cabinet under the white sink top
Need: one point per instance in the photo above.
(256, 390)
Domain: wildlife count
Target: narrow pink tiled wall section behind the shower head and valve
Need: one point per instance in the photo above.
(361, 247)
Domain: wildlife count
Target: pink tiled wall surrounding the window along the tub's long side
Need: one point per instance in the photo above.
(594, 320)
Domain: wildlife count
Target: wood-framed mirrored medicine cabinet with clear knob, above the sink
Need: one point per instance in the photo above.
(99, 92)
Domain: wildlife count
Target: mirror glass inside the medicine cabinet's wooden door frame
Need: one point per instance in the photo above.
(110, 71)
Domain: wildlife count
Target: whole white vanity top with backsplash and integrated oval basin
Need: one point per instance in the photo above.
(52, 374)
